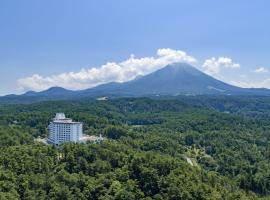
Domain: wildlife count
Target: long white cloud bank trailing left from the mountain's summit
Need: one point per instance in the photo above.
(109, 72)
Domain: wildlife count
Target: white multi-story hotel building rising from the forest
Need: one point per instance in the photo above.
(63, 129)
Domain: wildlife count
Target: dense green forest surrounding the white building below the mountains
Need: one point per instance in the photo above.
(201, 147)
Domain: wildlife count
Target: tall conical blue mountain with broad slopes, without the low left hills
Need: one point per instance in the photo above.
(174, 79)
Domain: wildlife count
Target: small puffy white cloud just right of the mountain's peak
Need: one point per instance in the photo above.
(214, 65)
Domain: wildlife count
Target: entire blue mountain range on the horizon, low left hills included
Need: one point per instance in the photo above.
(174, 79)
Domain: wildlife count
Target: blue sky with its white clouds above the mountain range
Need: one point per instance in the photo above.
(43, 43)
